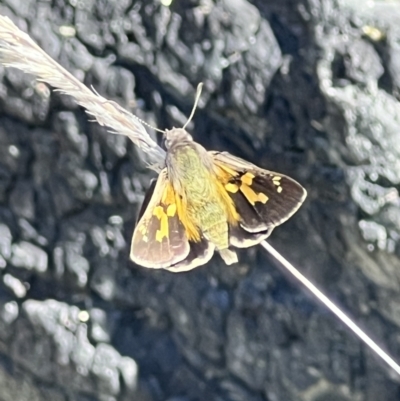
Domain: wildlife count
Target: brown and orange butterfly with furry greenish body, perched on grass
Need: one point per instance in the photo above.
(206, 201)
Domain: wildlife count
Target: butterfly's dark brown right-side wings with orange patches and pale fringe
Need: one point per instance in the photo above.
(263, 199)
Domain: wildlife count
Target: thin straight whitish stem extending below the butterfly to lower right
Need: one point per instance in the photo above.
(337, 311)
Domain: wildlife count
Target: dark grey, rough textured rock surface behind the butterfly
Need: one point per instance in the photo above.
(308, 88)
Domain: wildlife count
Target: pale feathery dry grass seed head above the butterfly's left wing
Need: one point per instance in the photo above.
(18, 50)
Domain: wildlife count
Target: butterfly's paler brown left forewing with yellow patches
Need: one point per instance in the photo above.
(159, 239)
